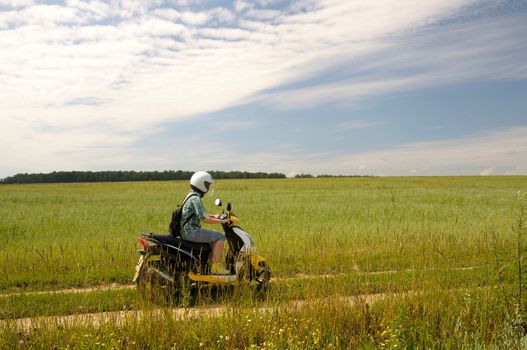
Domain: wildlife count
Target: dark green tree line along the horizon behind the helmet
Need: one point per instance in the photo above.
(119, 176)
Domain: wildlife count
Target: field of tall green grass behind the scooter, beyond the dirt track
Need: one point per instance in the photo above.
(84, 234)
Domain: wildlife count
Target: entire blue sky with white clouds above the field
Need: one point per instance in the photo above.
(341, 87)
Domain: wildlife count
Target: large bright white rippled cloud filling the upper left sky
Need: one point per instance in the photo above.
(173, 60)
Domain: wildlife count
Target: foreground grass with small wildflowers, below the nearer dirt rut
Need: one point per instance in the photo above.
(446, 320)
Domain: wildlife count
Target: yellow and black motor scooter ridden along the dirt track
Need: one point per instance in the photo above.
(169, 264)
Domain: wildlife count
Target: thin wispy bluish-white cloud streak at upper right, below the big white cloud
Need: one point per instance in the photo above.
(488, 50)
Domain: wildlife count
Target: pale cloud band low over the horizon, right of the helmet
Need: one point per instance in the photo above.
(506, 149)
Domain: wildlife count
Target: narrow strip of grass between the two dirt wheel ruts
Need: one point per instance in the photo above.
(282, 290)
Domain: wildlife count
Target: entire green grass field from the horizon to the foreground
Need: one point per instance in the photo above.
(445, 255)
